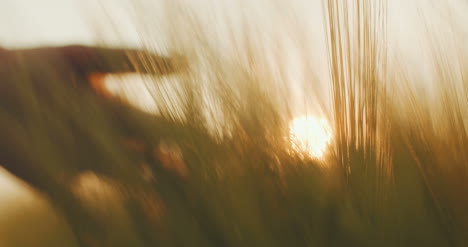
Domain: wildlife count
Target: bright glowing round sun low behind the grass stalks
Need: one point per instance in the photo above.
(310, 135)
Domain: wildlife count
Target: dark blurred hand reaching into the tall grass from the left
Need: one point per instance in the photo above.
(55, 122)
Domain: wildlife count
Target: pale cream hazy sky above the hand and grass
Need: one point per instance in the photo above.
(285, 23)
